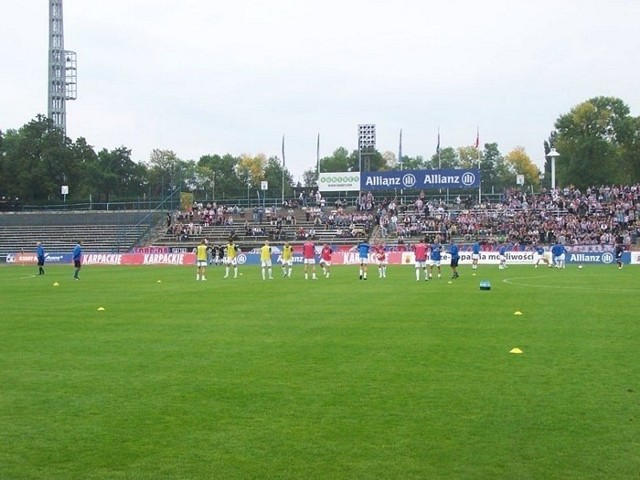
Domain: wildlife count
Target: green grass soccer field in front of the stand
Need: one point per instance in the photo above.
(326, 379)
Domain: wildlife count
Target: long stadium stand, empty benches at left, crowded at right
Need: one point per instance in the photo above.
(602, 216)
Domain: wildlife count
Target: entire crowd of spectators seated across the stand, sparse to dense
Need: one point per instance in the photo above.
(601, 215)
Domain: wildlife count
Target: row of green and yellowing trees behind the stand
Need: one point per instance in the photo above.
(598, 140)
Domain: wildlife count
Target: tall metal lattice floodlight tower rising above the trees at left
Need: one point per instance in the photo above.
(62, 76)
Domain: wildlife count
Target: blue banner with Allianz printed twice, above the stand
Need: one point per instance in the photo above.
(420, 179)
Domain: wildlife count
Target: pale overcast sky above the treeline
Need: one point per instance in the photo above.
(214, 77)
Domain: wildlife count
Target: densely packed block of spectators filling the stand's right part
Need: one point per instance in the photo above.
(602, 215)
